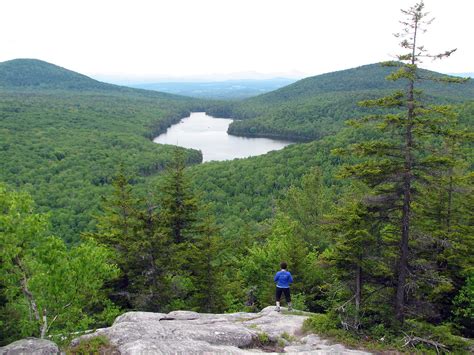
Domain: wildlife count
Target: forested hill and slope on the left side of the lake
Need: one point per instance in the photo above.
(63, 136)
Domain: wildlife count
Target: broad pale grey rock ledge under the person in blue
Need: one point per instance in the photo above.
(186, 332)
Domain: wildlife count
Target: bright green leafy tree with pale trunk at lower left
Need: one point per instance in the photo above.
(47, 287)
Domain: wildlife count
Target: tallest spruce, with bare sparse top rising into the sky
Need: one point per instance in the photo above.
(398, 161)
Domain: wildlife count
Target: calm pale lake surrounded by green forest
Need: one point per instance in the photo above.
(209, 135)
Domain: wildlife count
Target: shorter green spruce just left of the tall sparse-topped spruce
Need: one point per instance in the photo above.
(356, 258)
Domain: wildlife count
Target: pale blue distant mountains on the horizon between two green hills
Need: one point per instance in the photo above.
(229, 89)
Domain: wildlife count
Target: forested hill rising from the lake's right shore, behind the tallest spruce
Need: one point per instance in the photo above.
(317, 106)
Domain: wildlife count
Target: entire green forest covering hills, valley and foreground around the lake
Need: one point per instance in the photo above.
(373, 217)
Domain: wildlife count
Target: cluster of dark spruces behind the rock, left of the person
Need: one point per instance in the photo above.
(167, 246)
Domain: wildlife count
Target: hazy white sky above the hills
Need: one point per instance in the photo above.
(181, 38)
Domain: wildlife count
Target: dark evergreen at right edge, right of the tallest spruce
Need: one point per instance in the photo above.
(448, 230)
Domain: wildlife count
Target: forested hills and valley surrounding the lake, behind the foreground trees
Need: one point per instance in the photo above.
(63, 136)
